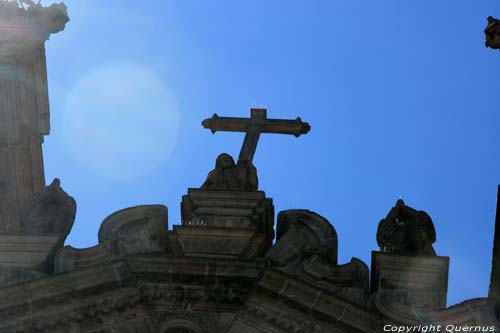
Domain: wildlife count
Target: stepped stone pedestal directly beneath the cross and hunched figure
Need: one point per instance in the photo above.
(230, 224)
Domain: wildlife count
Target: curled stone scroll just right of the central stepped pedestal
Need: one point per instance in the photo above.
(306, 246)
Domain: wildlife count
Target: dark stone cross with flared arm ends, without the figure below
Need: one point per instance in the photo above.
(255, 125)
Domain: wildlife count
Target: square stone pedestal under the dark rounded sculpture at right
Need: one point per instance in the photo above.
(425, 277)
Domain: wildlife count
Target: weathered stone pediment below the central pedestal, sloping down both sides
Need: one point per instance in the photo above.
(152, 293)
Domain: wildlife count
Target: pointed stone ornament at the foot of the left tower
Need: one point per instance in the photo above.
(50, 211)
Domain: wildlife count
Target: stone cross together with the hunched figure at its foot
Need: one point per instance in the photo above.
(243, 175)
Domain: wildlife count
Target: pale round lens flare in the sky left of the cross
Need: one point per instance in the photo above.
(121, 121)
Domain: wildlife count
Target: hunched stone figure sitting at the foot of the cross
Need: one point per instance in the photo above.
(230, 176)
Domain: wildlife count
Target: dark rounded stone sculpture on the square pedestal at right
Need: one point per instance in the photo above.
(406, 231)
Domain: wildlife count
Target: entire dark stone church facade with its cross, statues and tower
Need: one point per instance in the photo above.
(229, 267)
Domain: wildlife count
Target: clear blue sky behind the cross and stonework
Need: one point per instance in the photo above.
(402, 98)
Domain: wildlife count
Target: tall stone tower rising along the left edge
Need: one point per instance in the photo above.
(24, 106)
